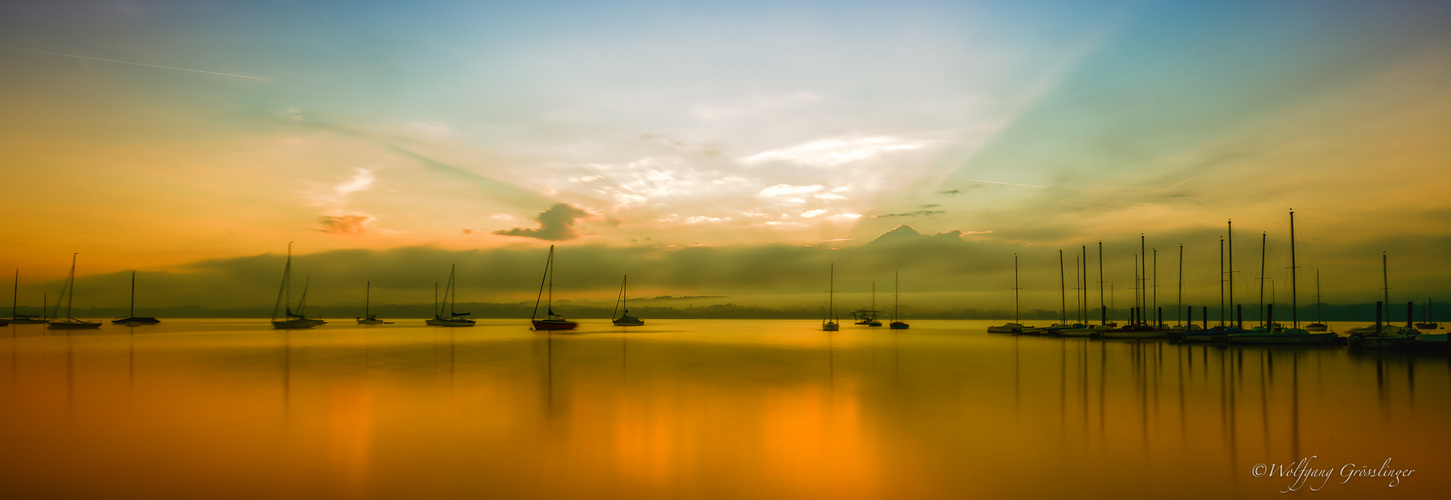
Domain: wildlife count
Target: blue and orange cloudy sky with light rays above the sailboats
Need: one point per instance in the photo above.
(731, 150)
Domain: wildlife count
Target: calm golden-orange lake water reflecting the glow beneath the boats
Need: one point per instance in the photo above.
(710, 409)
